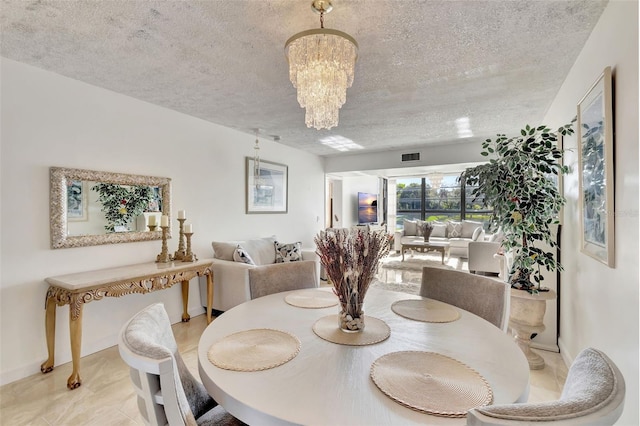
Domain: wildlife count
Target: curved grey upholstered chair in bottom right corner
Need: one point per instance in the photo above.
(593, 394)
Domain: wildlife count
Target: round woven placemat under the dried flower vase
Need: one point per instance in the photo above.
(375, 330)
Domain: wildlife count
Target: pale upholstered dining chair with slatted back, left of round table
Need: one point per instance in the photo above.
(167, 391)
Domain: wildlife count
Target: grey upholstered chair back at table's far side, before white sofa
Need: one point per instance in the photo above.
(282, 277)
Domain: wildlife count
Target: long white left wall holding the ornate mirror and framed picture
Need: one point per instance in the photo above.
(49, 120)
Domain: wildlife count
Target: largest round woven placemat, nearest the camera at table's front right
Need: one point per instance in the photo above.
(431, 383)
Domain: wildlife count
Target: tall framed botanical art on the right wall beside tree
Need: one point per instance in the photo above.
(596, 174)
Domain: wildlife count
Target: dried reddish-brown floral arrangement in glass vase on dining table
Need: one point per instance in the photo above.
(350, 259)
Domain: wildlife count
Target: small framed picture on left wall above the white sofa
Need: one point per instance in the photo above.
(266, 187)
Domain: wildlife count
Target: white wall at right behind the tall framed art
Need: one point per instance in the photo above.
(599, 305)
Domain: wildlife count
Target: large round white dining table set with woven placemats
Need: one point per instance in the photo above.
(330, 384)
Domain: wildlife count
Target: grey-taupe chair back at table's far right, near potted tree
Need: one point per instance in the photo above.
(484, 296)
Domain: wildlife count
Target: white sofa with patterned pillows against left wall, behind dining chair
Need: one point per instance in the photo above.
(231, 281)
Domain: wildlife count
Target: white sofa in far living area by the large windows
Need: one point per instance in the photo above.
(457, 234)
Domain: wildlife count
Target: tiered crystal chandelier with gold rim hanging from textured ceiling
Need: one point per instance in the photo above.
(321, 64)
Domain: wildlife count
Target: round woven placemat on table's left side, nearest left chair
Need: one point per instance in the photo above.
(254, 350)
